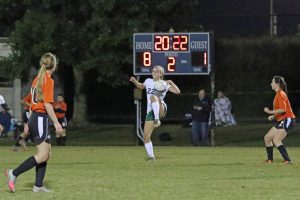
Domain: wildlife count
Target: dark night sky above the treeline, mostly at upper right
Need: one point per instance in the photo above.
(243, 18)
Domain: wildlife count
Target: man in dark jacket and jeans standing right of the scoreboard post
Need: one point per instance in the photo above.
(200, 116)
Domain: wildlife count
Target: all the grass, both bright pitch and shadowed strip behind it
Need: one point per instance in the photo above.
(114, 167)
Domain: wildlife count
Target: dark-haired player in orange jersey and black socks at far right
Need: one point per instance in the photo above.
(285, 121)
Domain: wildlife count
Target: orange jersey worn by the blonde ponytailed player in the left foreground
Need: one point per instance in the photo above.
(47, 89)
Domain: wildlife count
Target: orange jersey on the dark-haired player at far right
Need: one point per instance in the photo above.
(281, 101)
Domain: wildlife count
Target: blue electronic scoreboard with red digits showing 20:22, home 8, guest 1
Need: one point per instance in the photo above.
(177, 53)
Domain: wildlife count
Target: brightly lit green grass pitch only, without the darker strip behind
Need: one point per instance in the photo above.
(178, 173)
